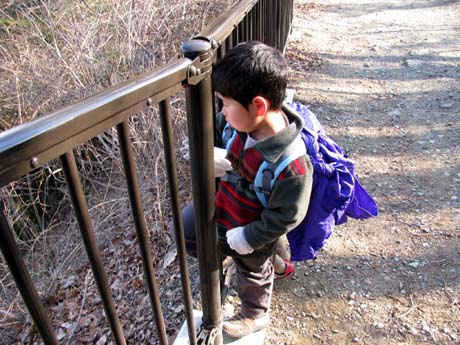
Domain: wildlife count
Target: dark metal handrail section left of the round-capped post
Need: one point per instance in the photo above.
(28, 146)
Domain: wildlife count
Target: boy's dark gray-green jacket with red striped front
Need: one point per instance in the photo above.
(238, 205)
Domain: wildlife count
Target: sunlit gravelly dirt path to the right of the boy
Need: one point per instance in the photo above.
(384, 79)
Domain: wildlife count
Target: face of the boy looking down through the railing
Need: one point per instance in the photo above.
(240, 118)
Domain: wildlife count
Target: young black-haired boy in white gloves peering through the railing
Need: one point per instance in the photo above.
(251, 80)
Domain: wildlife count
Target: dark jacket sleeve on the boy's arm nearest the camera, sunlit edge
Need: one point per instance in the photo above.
(287, 207)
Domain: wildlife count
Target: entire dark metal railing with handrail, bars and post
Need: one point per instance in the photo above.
(29, 146)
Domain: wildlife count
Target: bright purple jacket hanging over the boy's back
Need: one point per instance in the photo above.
(336, 192)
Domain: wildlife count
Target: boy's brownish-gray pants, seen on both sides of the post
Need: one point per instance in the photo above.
(254, 275)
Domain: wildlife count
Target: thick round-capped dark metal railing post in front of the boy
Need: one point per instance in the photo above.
(201, 140)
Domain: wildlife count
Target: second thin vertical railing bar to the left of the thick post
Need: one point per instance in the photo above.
(129, 164)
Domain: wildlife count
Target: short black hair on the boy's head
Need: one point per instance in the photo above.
(252, 69)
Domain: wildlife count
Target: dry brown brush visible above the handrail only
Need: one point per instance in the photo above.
(54, 52)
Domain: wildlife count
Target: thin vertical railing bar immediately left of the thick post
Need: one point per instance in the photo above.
(170, 157)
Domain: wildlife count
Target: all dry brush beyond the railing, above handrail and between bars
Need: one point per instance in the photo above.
(51, 54)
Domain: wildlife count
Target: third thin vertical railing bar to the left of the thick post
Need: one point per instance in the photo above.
(81, 210)
